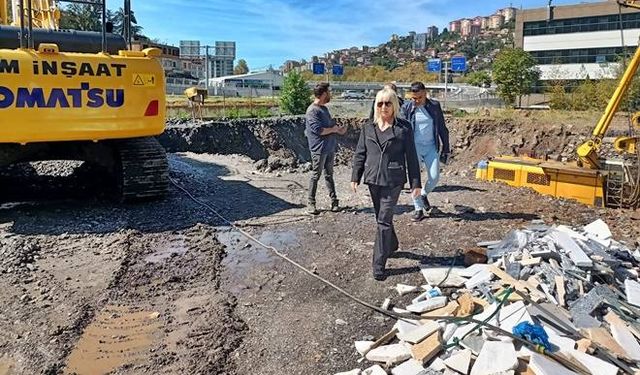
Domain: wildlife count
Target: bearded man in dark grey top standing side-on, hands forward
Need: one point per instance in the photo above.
(321, 131)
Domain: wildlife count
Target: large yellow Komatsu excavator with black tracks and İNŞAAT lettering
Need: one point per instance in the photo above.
(78, 95)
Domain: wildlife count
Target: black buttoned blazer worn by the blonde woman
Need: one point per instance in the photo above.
(390, 164)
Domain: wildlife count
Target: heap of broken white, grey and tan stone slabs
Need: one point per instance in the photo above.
(544, 300)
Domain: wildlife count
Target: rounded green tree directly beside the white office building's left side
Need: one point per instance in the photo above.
(515, 74)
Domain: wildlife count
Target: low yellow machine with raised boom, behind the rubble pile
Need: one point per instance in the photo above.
(591, 180)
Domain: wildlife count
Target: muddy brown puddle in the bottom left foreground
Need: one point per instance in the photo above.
(117, 336)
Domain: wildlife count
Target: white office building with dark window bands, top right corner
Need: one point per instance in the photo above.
(580, 41)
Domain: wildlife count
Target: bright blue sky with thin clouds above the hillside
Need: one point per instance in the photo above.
(272, 31)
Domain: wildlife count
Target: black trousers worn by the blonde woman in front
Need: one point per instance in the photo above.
(384, 201)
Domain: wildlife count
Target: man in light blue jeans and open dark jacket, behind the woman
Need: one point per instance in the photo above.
(431, 137)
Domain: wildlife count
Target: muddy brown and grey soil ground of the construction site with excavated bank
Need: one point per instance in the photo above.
(89, 286)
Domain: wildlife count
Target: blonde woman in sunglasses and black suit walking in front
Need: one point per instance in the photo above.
(384, 157)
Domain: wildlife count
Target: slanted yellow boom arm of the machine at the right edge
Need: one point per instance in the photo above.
(588, 151)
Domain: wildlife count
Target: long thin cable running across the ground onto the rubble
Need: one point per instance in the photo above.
(390, 314)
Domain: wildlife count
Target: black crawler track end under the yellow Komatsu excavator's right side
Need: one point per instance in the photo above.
(144, 170)
